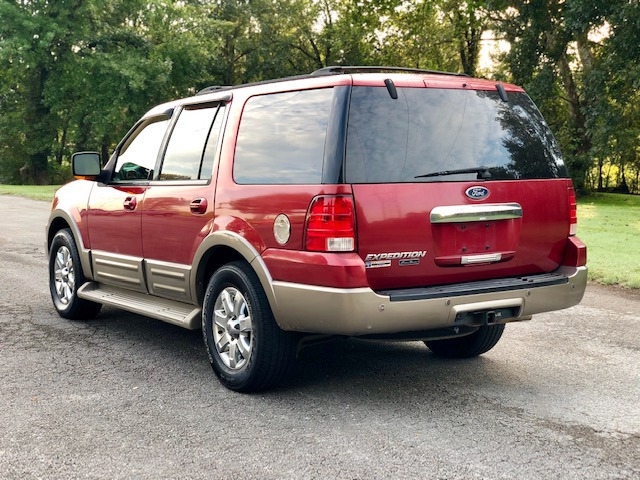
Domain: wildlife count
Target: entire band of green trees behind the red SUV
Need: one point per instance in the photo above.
(76, 74)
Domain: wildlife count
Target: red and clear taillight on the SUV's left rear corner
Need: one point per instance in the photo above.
(331, 224)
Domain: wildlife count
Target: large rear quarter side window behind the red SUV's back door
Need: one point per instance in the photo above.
(281, 138)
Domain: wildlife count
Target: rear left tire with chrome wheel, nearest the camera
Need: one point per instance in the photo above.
(247, 350)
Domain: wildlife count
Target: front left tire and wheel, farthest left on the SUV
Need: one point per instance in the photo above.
(66, 276)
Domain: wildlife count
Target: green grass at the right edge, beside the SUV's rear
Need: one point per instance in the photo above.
(609, 224)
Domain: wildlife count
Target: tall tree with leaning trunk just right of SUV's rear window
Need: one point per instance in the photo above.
(554, 54)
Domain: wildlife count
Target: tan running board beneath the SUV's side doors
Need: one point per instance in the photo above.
(170, 311)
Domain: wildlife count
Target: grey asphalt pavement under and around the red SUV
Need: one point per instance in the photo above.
(122, 396)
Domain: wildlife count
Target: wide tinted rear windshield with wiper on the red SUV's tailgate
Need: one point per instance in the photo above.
(428, 130)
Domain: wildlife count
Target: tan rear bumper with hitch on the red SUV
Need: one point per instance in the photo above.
(361, 311)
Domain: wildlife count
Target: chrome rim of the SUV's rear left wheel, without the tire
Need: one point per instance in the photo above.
(233, 328)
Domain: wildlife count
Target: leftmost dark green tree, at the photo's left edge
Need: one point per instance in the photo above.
(35, 38)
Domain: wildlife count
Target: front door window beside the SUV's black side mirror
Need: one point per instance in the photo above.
(137, 155)
